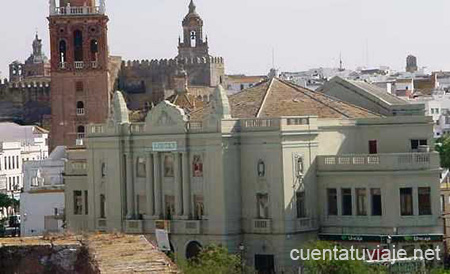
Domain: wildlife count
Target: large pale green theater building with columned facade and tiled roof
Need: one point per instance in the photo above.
(261, 172)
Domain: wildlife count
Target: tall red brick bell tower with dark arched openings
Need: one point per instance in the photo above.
(80, 88)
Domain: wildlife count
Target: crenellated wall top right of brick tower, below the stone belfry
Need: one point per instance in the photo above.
(171, 62)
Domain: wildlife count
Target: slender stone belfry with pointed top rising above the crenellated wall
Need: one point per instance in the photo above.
(193, 44)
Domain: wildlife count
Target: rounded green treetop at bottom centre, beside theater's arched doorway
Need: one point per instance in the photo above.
(212, 259)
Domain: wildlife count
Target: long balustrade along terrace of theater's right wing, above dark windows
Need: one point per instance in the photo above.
(379, 162)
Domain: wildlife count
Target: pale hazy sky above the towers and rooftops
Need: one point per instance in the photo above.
(304, 34)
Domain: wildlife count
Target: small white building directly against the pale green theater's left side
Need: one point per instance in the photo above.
(42, 202)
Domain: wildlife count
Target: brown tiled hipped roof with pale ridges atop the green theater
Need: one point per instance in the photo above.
(275, 98)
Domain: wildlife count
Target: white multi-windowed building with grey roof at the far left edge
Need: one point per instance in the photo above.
(18, 144)
